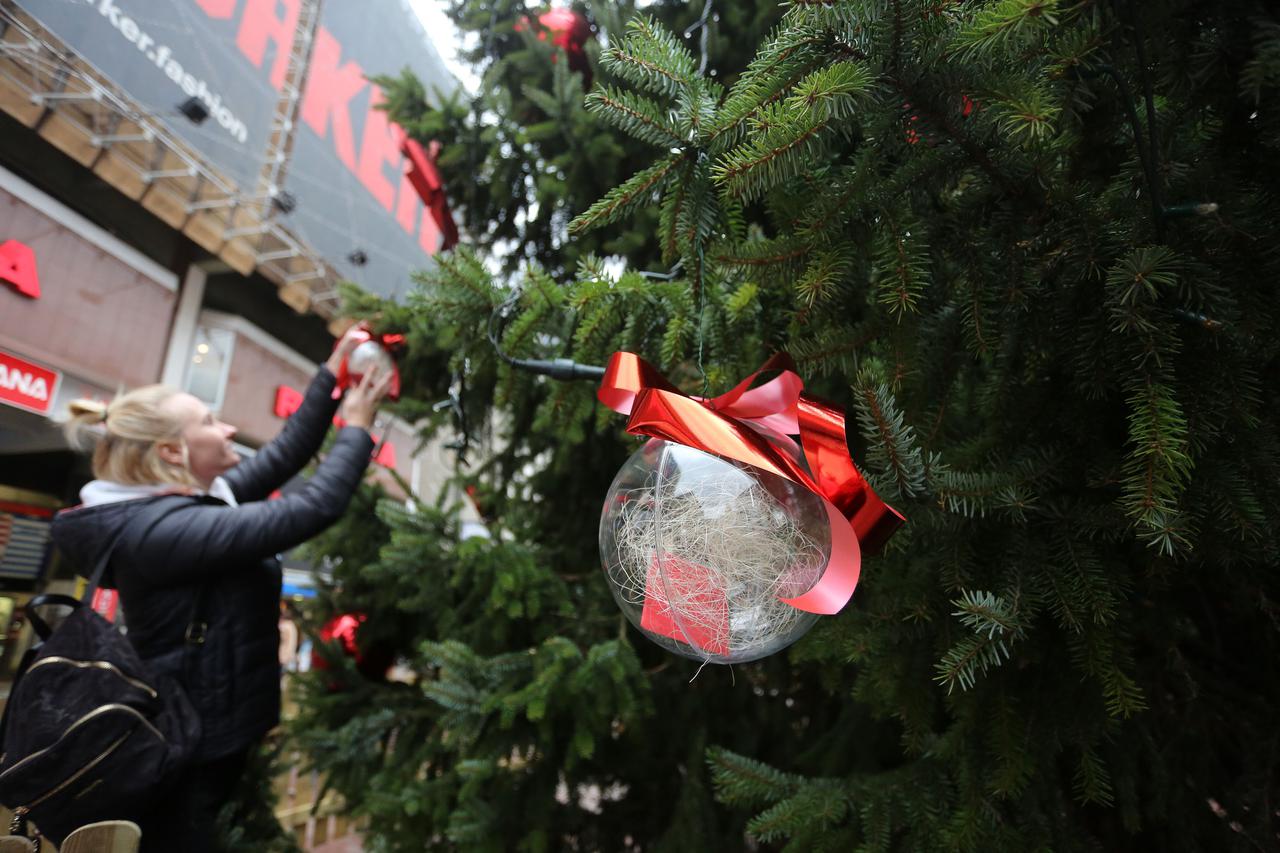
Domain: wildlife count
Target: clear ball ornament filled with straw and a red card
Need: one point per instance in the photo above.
(701, 551)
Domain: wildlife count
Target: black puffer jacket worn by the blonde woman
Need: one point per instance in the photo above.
(175, 545)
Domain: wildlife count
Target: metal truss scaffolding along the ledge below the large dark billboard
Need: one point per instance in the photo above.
(48, 88)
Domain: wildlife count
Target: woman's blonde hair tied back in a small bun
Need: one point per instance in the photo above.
(126, 437)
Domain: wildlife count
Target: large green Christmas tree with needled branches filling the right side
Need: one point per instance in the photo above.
(1028, 245)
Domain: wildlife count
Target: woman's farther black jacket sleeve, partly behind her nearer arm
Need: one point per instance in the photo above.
(289, 453)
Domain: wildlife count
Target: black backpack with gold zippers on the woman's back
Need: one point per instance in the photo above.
(89, 732)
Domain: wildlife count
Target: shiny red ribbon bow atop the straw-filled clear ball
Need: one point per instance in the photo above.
(861, 522)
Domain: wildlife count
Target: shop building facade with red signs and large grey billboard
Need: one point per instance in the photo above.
(138, 247)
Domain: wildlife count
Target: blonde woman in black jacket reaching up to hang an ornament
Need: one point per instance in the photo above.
(195, 559)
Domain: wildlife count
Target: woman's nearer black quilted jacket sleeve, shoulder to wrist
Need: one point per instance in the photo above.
(185, 545)
